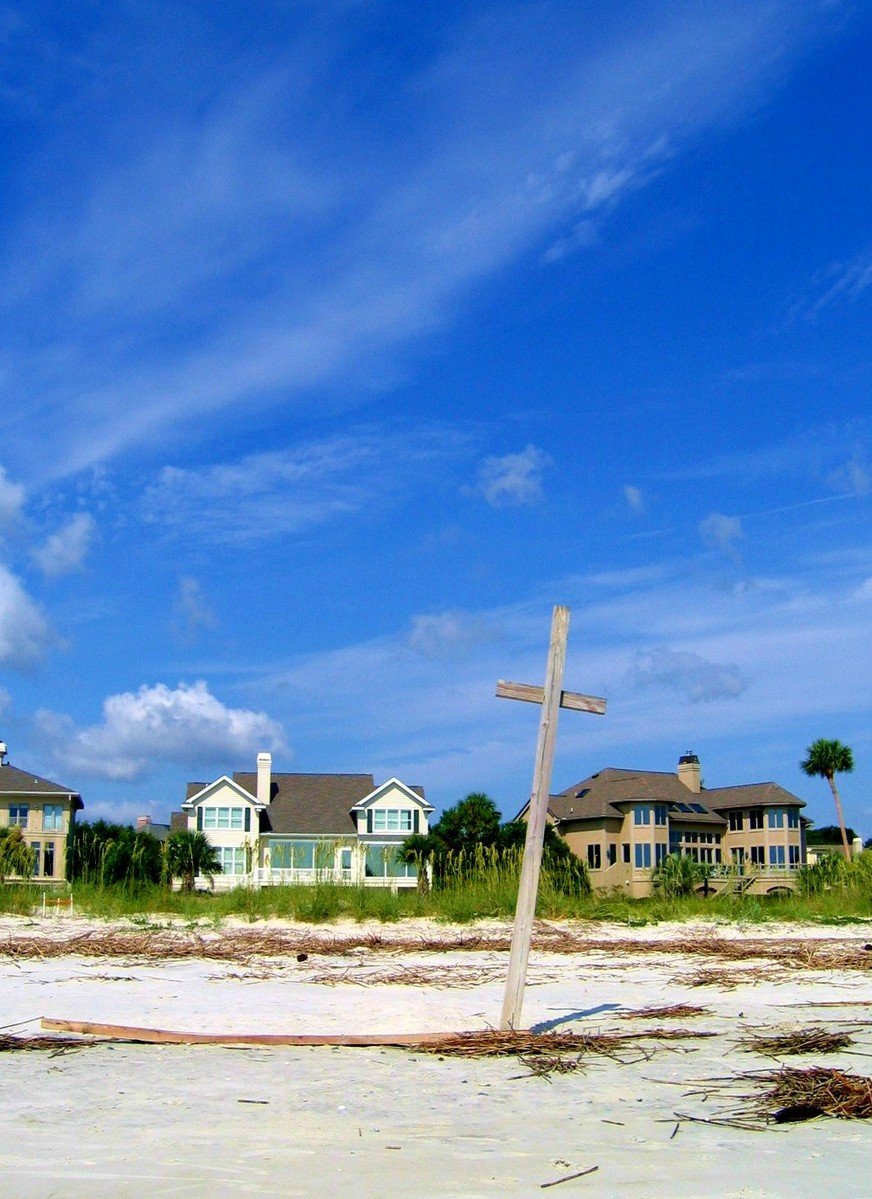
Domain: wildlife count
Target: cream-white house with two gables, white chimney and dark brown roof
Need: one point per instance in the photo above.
(274, 828)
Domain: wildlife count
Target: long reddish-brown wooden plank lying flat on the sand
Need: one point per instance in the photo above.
(166, 1037)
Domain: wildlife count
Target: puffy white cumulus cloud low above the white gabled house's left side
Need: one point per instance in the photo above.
(141, 731)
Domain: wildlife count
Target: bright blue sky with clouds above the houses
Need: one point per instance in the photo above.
(340, 341)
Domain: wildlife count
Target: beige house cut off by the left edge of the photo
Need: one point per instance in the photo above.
(45, 812)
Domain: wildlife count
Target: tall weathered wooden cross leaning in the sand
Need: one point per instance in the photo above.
(552, 698)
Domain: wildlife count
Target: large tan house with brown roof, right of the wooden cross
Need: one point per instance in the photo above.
(623, 824)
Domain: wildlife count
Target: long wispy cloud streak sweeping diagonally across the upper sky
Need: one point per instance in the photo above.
(351, 262)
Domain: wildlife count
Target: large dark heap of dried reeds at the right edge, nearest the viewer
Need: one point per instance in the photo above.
(789, 1096)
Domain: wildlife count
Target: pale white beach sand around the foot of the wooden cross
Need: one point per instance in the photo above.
(127, 1120)
